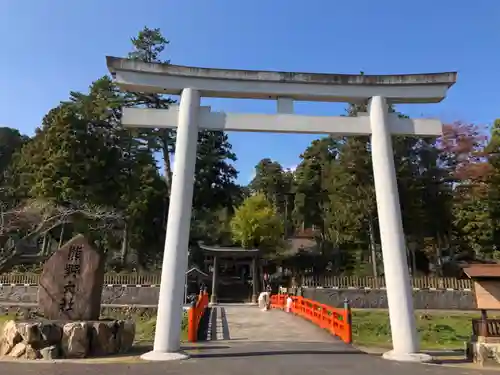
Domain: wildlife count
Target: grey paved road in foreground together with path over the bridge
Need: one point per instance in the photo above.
(258, 342)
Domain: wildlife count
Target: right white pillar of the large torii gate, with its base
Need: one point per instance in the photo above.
(399, 293)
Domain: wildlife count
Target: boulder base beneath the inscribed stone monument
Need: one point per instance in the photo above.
(49, 339)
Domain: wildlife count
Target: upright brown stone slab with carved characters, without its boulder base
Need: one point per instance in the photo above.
(71, 282)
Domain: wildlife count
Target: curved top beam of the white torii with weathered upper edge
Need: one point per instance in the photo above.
(133, 75)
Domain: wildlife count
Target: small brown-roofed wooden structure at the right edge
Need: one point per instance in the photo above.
(486, 286)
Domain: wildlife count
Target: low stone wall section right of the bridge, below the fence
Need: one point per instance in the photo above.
(377, 298)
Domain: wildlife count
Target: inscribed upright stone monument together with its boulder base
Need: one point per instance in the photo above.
(69, 297)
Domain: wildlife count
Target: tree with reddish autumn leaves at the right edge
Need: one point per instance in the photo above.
(472, 163)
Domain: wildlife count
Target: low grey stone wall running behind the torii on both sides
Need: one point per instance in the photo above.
(360, 298)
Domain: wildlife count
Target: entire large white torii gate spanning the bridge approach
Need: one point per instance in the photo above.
(191, 83)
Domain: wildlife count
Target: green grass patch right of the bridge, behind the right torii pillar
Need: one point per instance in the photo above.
(437, 330)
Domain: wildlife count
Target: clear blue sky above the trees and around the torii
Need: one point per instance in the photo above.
(50, 47)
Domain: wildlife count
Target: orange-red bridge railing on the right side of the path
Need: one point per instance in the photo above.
(337, 321)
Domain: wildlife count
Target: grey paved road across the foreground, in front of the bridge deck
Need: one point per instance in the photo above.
(248, 358)
